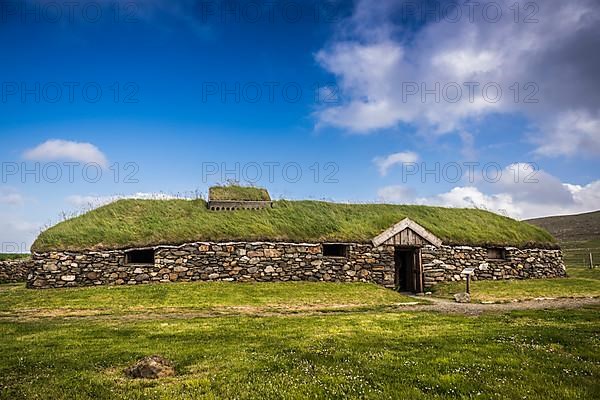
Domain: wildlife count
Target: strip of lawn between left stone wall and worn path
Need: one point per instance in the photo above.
(201, 296)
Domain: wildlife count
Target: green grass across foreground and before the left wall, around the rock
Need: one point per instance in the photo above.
(366, 352)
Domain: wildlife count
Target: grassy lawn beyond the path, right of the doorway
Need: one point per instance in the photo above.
(581, 282)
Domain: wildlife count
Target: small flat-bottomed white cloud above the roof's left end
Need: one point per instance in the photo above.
(56, 149)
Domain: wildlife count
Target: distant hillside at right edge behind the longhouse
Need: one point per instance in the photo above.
(578, 235)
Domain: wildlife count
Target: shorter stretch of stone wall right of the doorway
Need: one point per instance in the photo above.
(445, 263)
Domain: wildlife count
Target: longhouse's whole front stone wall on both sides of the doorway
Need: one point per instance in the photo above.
(266, 262)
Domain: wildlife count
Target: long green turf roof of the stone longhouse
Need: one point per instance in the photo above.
(138, 223)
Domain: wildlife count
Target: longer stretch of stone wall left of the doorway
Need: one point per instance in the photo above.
(241, 262)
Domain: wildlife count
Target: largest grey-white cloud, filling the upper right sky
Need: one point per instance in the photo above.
(386, 72)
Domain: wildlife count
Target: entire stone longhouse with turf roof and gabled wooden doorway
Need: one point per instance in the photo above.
(240, 235)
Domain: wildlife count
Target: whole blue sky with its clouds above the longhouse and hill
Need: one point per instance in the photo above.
(189, 86)
